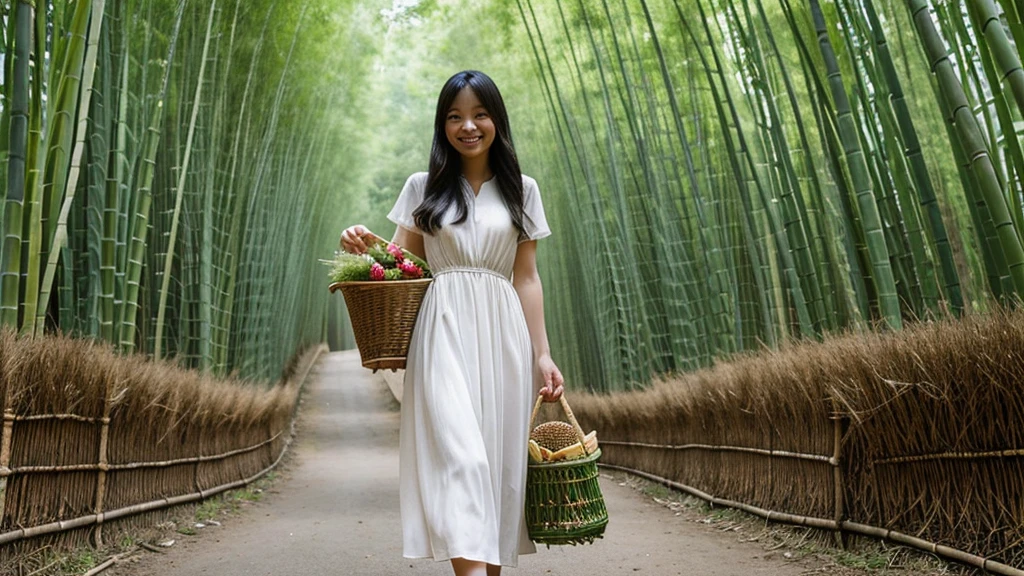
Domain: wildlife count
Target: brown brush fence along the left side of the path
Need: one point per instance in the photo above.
(92, 438)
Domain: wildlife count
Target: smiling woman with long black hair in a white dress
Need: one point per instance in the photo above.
(480, 350)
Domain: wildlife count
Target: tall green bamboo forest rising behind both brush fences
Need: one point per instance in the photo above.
(720, 176)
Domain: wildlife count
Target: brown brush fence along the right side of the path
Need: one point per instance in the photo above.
(917, 437)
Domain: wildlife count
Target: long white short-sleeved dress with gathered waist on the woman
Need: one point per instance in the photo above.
(470, 386)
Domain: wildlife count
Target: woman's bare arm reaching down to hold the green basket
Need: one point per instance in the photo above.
(528, 284)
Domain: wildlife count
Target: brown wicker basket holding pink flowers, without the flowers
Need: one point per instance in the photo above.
(383, 315)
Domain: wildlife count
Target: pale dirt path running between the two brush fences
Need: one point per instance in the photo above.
(336, 512)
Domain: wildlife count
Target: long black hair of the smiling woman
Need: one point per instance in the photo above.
(444, 181)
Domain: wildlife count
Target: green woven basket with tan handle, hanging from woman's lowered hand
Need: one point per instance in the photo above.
(565, 505)
